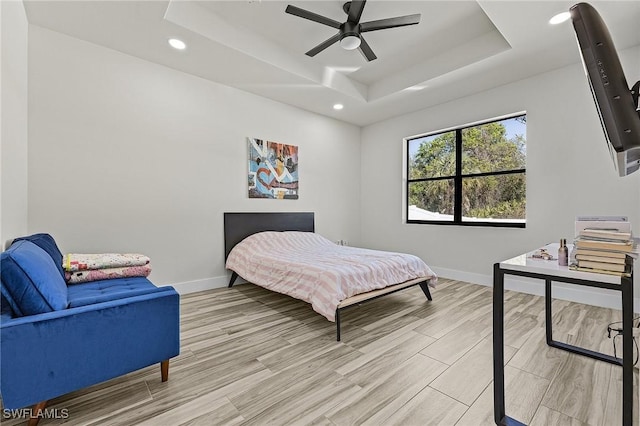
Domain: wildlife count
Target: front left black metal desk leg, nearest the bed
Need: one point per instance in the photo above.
(498, 345)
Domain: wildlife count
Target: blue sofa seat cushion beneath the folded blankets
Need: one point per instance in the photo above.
(107, 290)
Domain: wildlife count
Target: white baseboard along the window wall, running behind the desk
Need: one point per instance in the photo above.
(587, 295)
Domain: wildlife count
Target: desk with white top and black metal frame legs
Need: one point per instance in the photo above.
(550, 271)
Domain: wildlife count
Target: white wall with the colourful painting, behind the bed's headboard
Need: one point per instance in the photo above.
(129, 156)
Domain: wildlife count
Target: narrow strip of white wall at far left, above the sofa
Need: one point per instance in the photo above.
(13, 146)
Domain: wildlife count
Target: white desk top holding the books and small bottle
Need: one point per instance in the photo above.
(525, 263)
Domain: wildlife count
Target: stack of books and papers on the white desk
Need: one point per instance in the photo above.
(602, 246)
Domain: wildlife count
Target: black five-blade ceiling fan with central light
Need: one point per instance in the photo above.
(350, 32)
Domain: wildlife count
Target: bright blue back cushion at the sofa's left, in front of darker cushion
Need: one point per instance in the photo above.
(31, 282)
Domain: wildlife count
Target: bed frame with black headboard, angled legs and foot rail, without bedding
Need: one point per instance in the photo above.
(238, 226)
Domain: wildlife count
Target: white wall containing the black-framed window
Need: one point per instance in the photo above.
(569, 173)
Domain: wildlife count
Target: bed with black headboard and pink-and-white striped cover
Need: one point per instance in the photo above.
(281, 252)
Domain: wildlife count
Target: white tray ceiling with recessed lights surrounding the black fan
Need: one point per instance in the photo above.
(459, 47)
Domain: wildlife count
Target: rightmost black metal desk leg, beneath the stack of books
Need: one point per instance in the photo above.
(627, 350)
